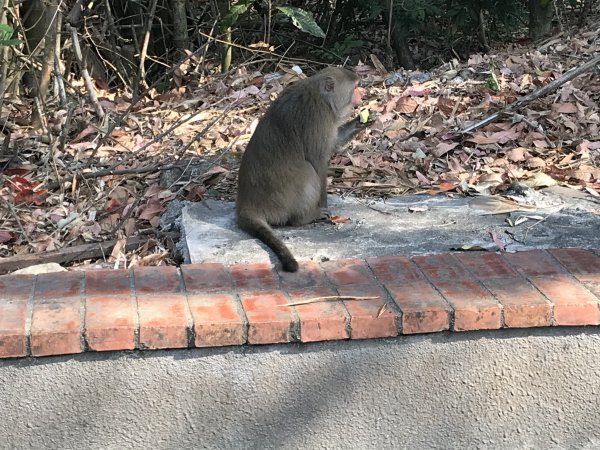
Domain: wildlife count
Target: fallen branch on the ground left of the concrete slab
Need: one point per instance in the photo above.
(75, 253)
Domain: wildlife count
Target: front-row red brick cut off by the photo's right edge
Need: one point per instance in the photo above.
(573, 304)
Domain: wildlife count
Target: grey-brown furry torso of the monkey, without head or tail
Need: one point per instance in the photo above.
(278, 177)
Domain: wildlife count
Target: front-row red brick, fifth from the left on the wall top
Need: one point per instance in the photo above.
(217, 321)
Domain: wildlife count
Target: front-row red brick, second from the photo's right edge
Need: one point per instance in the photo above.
(523, 305)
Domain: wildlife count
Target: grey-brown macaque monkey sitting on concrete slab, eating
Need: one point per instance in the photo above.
(283, 173)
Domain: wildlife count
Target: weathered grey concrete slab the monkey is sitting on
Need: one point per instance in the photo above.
(558, 218)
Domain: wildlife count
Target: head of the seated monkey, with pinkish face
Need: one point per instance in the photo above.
(340, 89)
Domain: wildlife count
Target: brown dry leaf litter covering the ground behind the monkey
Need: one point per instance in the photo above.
(91, 189)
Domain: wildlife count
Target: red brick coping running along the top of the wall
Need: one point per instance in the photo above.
(207, 305)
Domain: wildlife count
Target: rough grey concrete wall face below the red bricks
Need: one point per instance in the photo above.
(508, 389)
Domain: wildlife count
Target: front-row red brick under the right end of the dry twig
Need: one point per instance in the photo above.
(369, 318)
